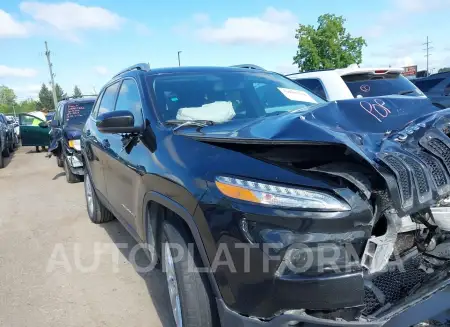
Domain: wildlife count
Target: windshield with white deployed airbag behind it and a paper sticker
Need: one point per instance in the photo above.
(223, 96)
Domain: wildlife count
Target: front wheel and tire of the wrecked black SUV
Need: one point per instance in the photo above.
(195, 299)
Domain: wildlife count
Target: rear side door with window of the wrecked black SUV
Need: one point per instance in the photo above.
(96, 144)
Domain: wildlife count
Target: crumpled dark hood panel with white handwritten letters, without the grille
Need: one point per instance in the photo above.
(358, 123)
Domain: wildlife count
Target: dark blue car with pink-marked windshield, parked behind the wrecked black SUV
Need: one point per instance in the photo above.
(66, 127)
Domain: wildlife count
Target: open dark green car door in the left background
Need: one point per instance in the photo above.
(32, 132)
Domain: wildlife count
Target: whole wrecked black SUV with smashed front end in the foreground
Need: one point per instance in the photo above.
(297, 208)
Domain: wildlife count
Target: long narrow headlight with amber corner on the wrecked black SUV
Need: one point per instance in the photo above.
(276, 195)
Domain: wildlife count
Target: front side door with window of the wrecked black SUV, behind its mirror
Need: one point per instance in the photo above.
(123, 176)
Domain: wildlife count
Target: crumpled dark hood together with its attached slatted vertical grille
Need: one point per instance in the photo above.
(395, 135)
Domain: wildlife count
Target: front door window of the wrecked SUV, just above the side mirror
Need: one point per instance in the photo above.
(129, 99)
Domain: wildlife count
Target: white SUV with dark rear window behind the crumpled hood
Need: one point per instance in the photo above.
(355, 82)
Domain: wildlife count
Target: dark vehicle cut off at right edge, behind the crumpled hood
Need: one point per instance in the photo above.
(436, 87)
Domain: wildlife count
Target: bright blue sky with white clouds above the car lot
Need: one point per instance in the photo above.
(91, 40)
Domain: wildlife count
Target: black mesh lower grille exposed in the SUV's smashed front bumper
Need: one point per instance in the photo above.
(394, 285)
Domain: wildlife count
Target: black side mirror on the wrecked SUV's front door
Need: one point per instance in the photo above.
(117, 122)
